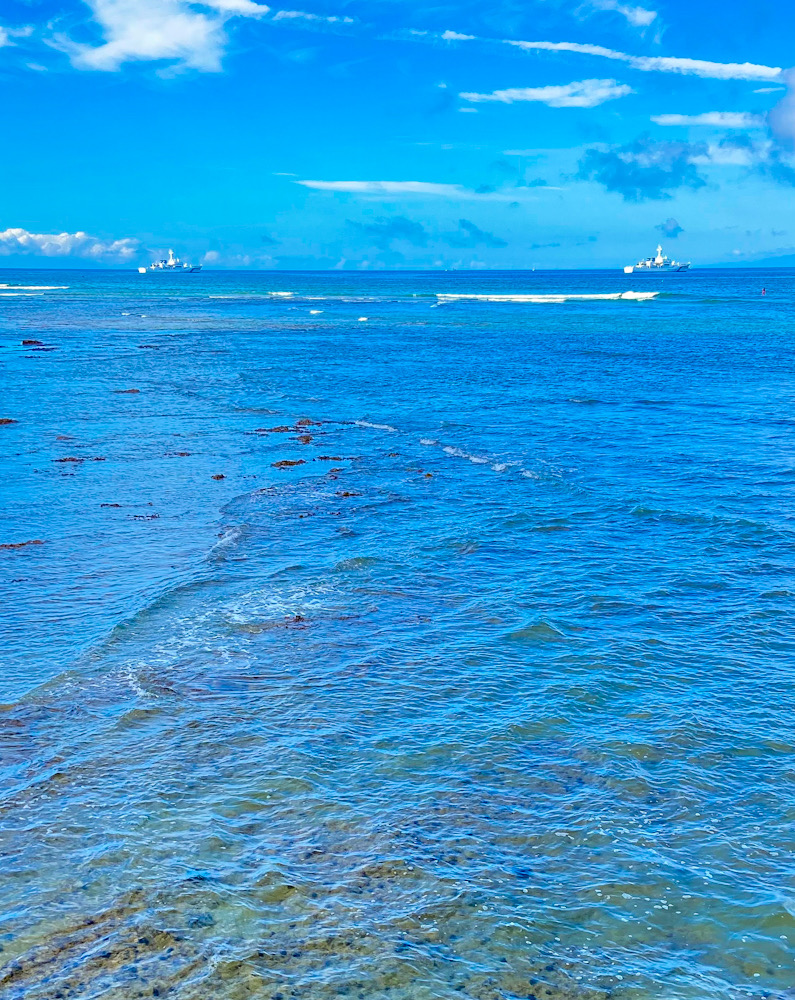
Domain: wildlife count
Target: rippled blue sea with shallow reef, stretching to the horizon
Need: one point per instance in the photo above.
(489, 697)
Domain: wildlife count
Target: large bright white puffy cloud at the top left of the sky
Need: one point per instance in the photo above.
(172, 30)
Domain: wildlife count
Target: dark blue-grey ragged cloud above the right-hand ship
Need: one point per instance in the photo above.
(644, 170)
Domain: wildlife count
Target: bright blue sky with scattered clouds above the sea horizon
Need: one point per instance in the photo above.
(394, 134)
